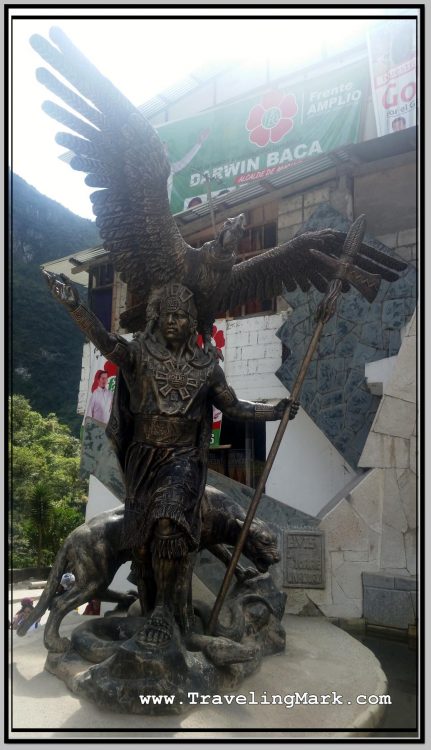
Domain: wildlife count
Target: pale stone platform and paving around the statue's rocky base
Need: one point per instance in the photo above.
(319, 659)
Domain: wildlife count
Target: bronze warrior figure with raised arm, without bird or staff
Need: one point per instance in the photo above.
(160, 424)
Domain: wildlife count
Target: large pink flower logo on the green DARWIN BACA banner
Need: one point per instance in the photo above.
(272, 119)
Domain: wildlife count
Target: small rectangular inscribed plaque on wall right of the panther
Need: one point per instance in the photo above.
(304, 559)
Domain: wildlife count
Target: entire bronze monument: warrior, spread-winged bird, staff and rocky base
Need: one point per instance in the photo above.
(161, 417)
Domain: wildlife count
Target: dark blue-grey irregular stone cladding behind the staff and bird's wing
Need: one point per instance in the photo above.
(335, 393)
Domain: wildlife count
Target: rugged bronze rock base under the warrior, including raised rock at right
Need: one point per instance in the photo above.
(116, 663)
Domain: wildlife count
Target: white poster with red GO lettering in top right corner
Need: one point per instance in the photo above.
(392, 58)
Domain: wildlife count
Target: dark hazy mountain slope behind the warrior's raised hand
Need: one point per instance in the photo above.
(46, 347)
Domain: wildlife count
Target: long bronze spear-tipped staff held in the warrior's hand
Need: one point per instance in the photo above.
(325, 311)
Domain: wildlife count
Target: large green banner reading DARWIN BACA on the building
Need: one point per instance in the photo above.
(251, 139)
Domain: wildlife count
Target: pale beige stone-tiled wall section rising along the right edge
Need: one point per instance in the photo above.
(371, 531)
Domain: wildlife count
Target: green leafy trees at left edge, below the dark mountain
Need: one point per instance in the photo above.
(47, 494)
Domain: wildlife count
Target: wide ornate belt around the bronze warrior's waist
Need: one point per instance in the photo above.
(165, 432)
